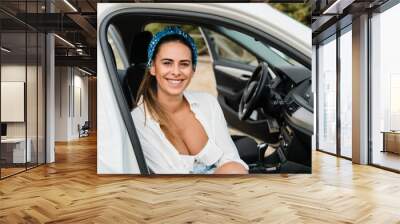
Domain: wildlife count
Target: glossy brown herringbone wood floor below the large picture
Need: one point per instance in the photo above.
(70, 191)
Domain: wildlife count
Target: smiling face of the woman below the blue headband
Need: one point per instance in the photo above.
(172, 67)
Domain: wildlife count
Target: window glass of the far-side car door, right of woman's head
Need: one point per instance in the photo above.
(229, 50)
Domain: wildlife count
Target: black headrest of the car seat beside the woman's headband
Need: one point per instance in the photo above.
(140, 44)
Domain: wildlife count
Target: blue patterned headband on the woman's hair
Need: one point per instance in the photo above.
(171, 30)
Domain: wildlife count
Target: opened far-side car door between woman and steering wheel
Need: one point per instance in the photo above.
(233, 65)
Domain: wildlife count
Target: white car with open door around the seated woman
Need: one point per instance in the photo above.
(274, 55)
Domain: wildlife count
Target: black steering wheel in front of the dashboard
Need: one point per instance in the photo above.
(253, 90)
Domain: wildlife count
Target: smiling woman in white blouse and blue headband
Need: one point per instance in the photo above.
(180, 131)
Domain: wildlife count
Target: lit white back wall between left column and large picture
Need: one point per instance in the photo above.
(71, 87)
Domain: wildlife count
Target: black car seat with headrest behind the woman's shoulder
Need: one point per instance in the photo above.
(135, 73)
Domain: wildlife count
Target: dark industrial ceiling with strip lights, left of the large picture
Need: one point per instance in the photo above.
(74, 22)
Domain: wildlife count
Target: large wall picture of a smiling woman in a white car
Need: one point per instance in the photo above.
(185, 90)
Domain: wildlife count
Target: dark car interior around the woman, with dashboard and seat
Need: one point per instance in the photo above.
(265, 95)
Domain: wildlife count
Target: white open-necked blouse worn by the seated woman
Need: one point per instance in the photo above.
(163, 158)
